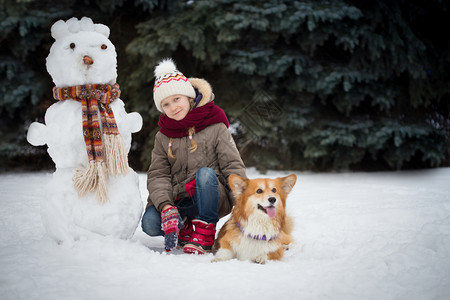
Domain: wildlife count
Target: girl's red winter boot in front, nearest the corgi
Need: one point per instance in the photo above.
(202, 239)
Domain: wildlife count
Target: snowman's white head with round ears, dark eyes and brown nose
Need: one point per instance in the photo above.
(81, 54)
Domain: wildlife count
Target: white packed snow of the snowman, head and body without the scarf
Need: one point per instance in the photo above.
(82, 54)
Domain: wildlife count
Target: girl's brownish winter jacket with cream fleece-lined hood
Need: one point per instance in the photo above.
(167, 177)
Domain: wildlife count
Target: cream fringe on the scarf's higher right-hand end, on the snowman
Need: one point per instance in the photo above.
(116, 158)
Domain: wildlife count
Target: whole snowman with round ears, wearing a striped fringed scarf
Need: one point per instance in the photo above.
(88, 133)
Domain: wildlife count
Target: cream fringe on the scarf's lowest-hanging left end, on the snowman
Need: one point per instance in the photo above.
(91, 179)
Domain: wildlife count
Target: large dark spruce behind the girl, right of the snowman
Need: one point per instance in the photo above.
(346, 85)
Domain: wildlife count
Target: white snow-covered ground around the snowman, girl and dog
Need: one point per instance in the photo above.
(383, 235)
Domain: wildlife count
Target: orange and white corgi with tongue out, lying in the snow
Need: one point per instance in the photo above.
(258, 229)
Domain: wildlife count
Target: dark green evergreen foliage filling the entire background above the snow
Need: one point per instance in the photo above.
(315, 85)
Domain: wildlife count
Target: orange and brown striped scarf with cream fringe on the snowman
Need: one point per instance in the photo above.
(104, 146)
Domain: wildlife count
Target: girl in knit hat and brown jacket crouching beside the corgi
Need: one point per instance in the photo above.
(193, 155)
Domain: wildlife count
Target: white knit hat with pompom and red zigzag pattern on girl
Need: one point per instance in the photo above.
(169, 81)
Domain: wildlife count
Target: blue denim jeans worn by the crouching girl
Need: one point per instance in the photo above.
(203, 206)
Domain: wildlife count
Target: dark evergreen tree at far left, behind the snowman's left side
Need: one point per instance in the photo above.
(22, 31)
